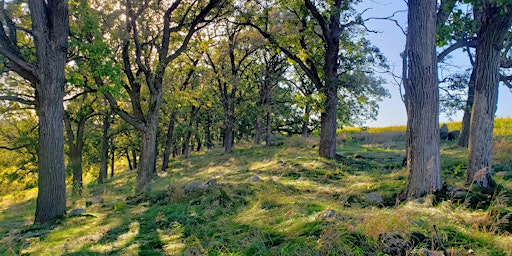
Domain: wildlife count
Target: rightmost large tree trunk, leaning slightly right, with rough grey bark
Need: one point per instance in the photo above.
(494, 27)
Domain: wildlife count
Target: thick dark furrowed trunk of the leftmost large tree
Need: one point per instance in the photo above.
(50, 31)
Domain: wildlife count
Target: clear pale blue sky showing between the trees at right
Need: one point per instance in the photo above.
(391, 42)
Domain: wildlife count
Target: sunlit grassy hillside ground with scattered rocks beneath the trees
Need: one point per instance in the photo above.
(278, 200)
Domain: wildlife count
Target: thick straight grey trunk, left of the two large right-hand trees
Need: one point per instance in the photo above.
(422, 99)
